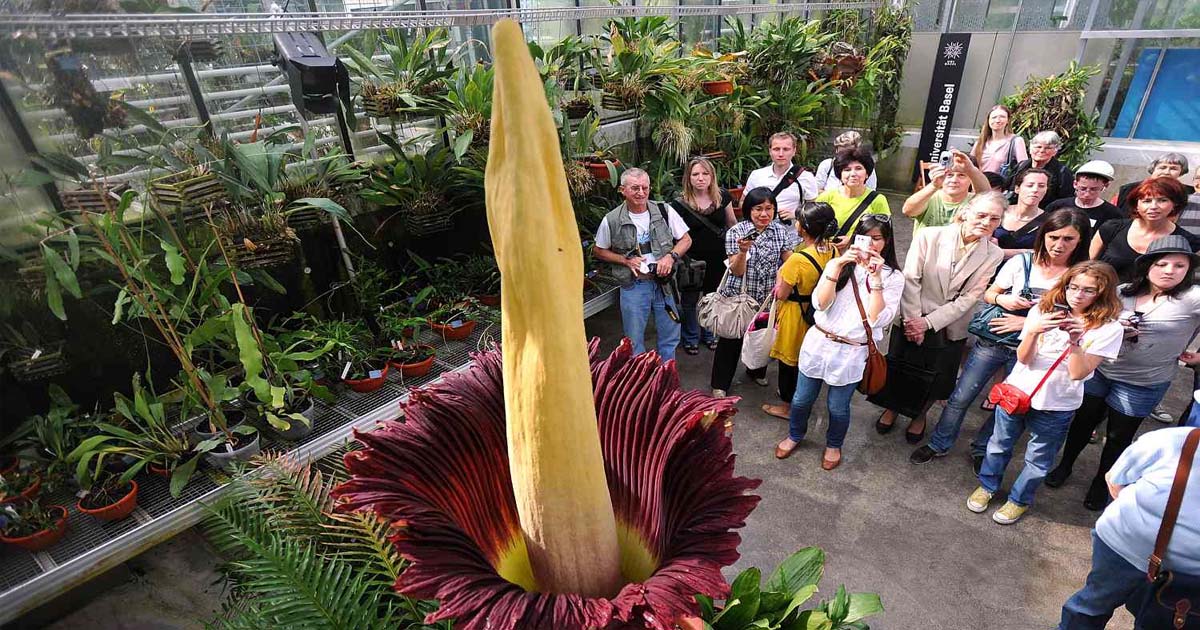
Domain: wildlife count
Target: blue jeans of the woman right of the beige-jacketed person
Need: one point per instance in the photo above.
(982, 363)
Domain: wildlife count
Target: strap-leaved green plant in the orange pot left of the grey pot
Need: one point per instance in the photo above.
(140, 430)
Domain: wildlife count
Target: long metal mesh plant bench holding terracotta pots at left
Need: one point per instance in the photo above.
(92, 548)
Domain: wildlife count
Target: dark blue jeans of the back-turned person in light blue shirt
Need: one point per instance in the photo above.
(1112, 584)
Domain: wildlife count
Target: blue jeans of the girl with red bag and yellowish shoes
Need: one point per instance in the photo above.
(1048, 431)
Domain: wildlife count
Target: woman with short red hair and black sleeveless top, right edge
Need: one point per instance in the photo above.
(1156, 205)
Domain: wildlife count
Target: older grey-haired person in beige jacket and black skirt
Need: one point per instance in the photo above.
(946, 273)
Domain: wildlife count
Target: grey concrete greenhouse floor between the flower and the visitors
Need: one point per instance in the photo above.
(887, 527)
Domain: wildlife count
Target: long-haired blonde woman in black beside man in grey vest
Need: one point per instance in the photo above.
(709, 212)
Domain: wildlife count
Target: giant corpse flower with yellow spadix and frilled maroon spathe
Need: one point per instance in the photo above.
(547, 488)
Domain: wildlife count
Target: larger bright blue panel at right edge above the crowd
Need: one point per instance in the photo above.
(1173, 112)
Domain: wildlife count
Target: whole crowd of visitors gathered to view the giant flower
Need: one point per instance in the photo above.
(1023, 286)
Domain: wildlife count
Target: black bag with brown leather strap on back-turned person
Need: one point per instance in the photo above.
(1174, 599)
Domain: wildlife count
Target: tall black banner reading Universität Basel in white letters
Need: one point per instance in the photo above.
(944, 95)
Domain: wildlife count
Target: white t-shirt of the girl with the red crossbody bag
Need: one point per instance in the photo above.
(1060, 393)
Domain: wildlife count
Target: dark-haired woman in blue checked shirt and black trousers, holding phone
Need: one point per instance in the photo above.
(755, 250)
